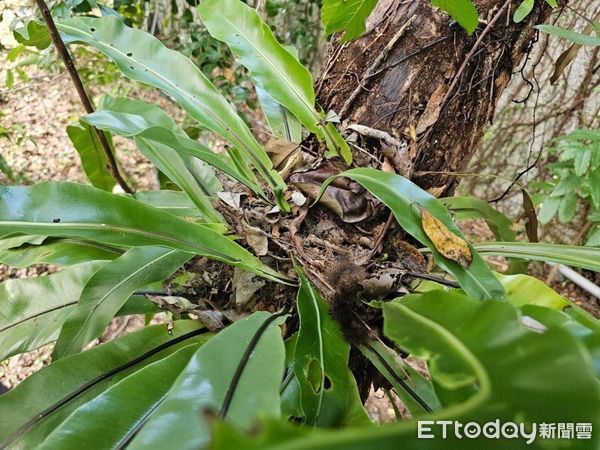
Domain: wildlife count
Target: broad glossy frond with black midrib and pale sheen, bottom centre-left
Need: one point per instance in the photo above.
(208, 382)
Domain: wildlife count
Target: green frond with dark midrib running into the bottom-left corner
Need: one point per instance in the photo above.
(53, 393)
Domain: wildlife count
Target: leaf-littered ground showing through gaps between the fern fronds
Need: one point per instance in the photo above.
(34, 115)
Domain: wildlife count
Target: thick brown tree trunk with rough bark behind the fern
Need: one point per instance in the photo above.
(419, 77)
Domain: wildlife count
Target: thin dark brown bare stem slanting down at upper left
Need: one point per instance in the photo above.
(85, 99)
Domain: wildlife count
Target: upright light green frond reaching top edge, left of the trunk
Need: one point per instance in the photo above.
(270, 64)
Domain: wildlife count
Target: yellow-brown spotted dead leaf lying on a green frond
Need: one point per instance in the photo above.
(445, 241)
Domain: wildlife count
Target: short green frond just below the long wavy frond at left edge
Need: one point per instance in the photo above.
(62, 252)
